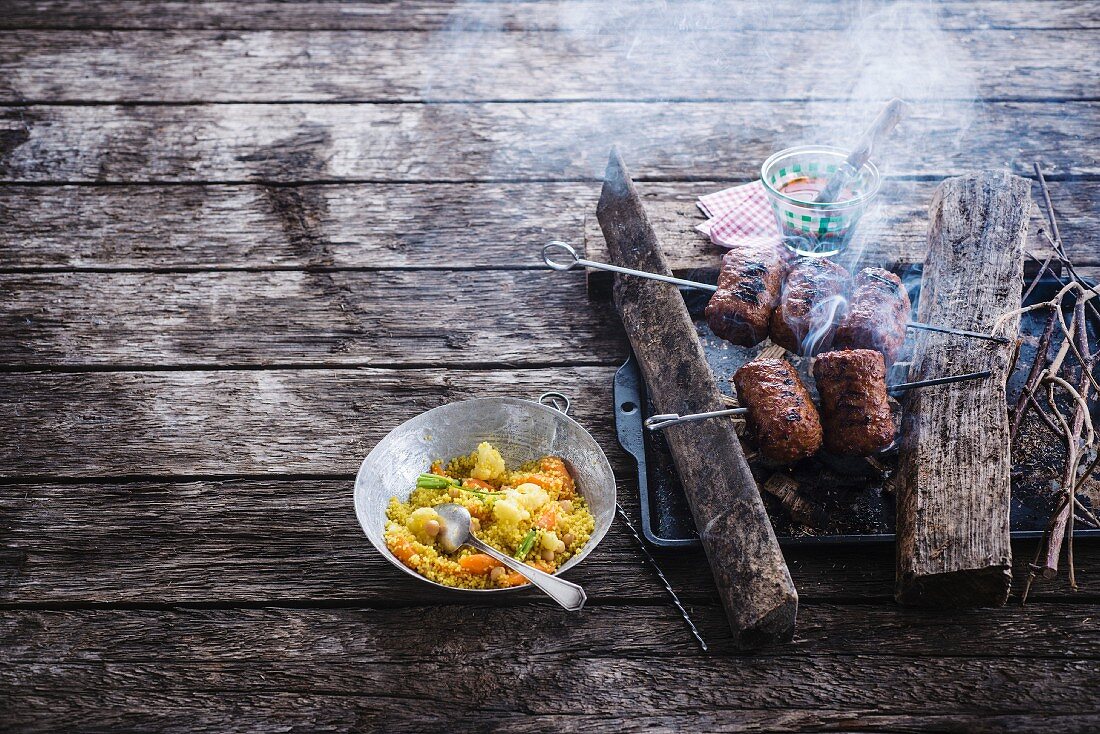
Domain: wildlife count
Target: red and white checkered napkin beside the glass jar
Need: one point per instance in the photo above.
(739, 217)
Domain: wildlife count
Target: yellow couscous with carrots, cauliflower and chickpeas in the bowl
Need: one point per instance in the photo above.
(533, 513)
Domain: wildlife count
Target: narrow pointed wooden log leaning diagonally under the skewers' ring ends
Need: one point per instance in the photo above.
(754, 583)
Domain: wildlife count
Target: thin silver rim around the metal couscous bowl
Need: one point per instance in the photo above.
(595, 540)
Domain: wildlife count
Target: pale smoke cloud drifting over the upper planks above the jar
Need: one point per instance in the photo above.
(747, 79)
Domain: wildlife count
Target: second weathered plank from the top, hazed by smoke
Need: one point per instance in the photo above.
(246, 67)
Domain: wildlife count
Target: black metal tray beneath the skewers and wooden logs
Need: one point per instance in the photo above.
(854, 495)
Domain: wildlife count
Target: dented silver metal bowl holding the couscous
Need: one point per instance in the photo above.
(522, 431)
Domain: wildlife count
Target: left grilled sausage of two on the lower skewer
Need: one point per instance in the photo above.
(782, 413)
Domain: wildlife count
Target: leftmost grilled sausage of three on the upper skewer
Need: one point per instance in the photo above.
(749, 290)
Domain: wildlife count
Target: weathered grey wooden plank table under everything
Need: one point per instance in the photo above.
(240, 243)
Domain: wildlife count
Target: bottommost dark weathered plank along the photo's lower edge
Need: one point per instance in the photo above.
(189, 711)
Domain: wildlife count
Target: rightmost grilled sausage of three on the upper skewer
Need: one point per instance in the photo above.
(878, 313)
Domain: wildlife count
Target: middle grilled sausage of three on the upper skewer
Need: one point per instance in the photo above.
(810, 308)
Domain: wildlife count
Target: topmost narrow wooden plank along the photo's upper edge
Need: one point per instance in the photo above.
(577, 16)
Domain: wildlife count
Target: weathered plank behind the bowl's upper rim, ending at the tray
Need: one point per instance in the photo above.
(230, 423)
